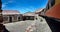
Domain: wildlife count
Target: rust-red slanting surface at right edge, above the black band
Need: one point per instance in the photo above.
(54, 11)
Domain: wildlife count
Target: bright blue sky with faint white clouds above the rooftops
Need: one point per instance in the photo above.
(23, 6)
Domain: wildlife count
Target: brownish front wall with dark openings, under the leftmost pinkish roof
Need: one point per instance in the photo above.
(14, 18)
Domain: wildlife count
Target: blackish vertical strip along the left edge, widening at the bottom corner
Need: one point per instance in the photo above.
(2, 27)
